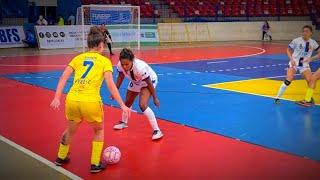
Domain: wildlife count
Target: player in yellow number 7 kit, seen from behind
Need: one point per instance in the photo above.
(83, 101)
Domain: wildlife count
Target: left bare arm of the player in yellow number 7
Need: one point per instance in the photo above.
(62, 82)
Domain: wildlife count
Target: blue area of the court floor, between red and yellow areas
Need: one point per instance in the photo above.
(251, 118)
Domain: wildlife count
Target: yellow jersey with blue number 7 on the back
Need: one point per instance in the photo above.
(89, 69)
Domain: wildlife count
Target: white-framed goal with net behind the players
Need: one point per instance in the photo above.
(122, 22)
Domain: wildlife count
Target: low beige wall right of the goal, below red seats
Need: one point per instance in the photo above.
(229, 31)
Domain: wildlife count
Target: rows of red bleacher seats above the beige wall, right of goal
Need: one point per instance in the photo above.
(236, 8)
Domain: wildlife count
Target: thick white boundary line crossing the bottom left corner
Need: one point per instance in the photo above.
(39, 158)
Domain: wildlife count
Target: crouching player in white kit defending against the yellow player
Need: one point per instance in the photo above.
(143, 81)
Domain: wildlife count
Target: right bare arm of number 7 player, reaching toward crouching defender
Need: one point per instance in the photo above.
(115, 93)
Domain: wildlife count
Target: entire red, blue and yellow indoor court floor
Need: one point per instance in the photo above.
(217, 114)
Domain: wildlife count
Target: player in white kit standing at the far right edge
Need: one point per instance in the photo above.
(299, 50)
